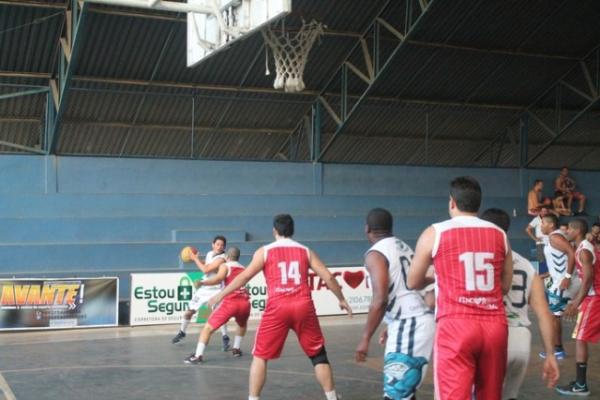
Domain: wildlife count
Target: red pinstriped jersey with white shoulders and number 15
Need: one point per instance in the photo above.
(468, 257)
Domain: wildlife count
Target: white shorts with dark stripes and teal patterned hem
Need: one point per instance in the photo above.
(407, 353)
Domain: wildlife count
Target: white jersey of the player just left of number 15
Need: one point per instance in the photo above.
(402, 302)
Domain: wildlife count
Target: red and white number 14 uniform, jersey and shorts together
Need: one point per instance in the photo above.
(289, 303)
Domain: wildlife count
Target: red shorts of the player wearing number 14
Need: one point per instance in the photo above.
(280, 316)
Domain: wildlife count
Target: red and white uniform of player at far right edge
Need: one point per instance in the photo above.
(588, 320)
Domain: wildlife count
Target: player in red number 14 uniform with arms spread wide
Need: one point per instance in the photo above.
(285, 264)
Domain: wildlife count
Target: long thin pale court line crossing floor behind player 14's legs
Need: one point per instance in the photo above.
(210, 367)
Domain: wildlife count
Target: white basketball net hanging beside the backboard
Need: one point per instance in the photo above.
(291, 53)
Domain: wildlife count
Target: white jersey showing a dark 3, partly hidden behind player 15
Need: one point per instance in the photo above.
(516, 302)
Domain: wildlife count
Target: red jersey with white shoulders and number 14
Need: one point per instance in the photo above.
(286, 270)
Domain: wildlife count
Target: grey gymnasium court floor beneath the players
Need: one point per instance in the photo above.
(141, 363)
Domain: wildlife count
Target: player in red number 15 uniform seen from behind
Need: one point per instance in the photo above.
(473, 269)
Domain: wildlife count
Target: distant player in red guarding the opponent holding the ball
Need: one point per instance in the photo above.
(235, 305)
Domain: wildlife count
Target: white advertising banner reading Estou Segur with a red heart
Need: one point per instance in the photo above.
(162, 298)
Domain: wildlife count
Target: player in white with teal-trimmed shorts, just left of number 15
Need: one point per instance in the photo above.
(411, 325)
